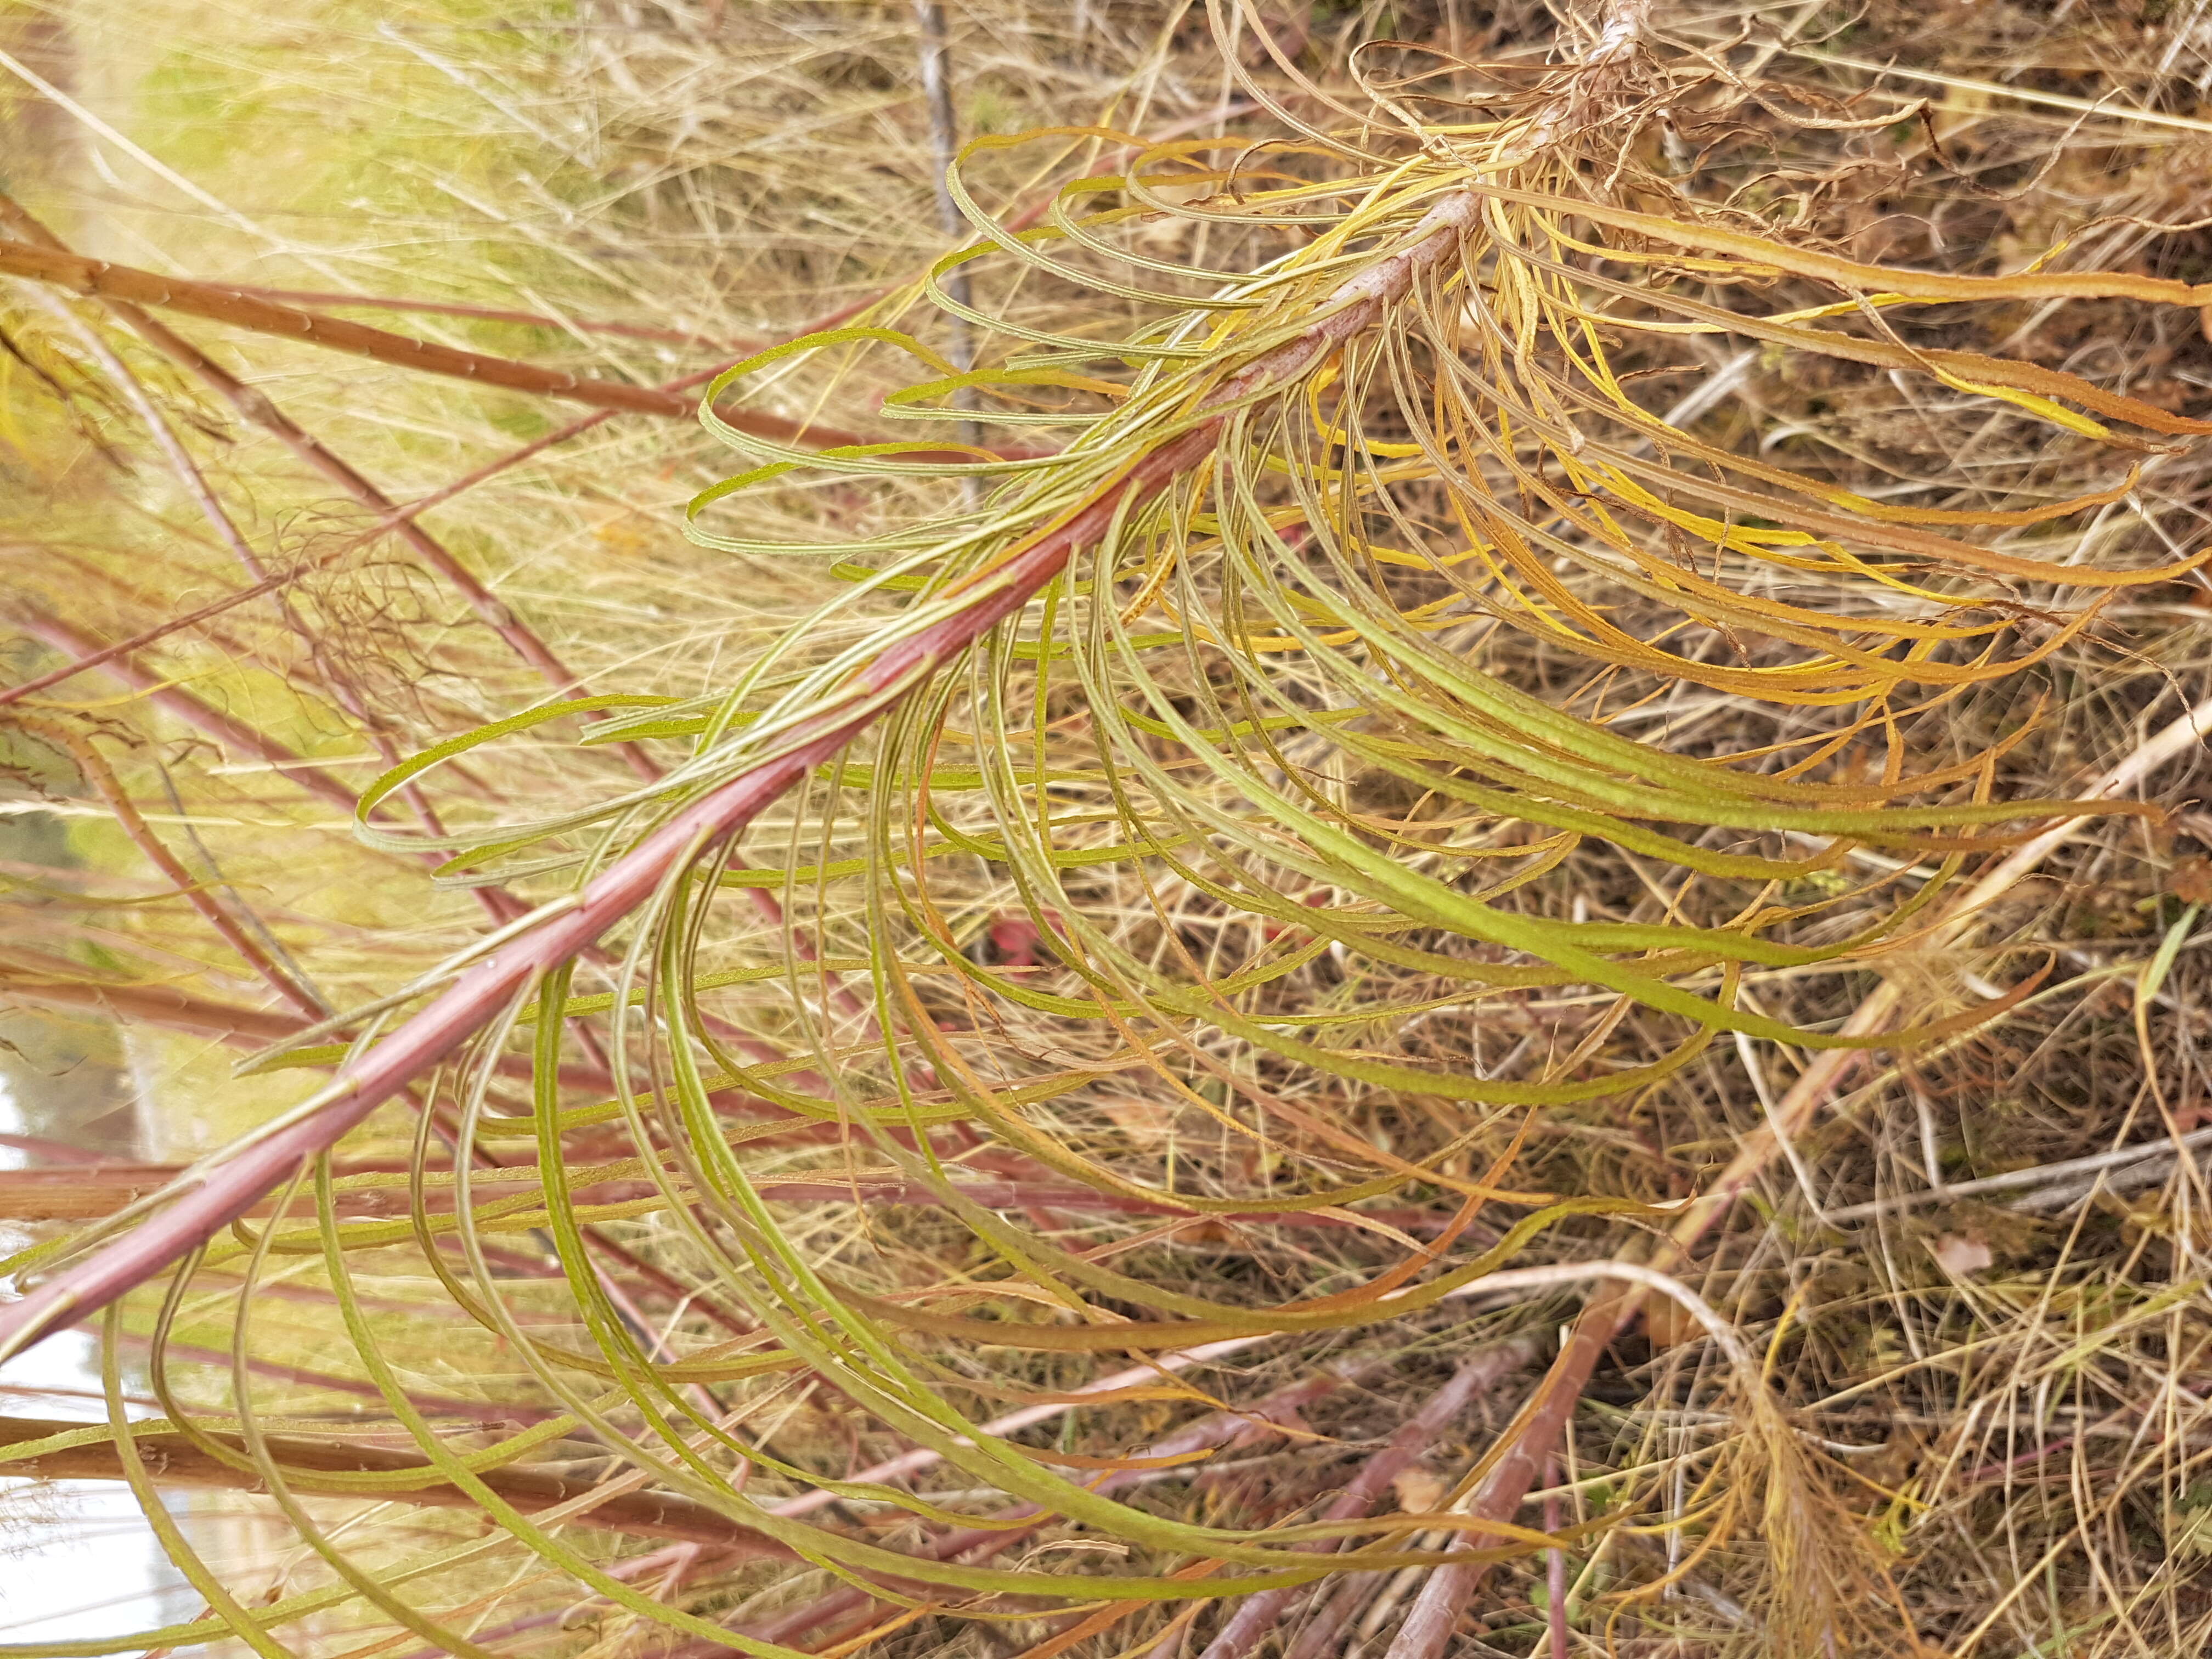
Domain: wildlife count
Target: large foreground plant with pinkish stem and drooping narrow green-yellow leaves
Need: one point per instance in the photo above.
(1191, 649)
